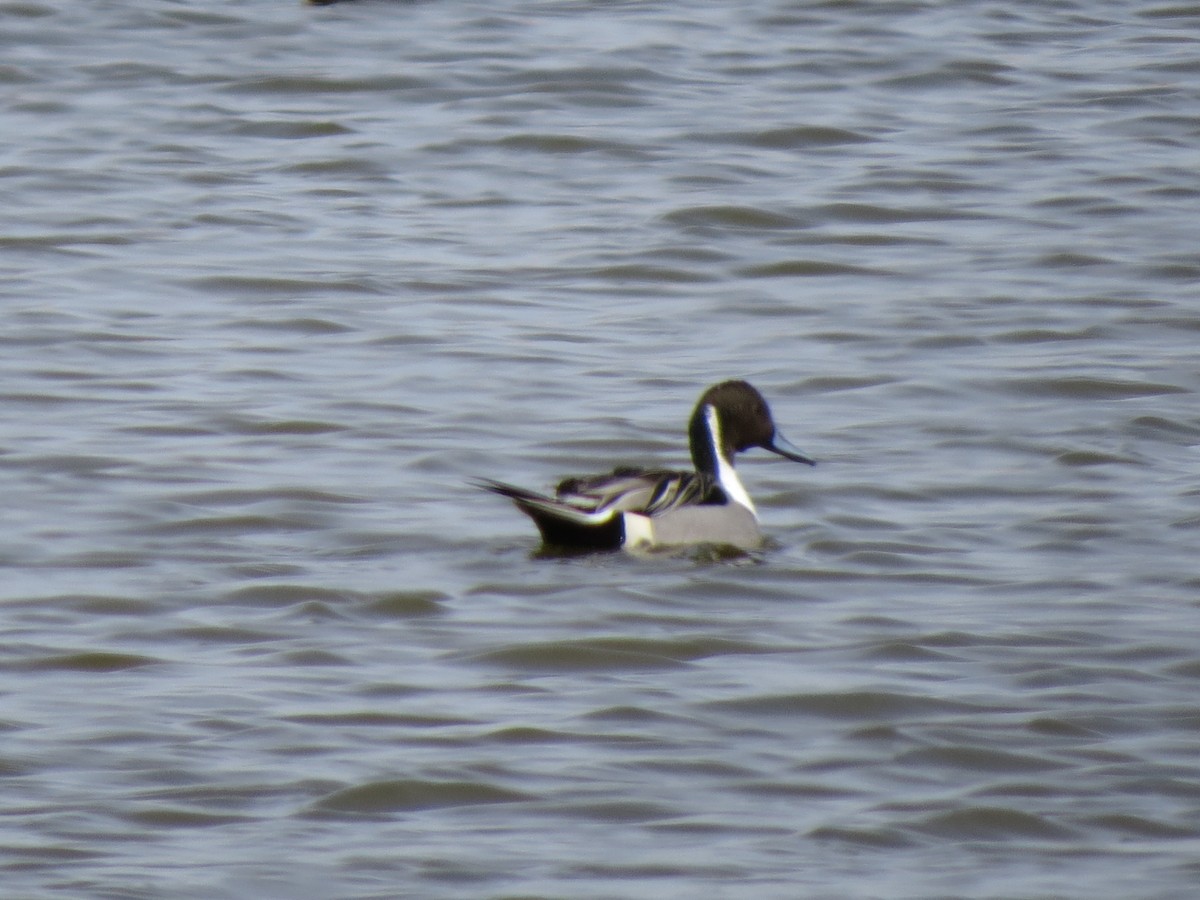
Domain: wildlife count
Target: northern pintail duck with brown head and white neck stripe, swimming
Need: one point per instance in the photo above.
(658, 508)
